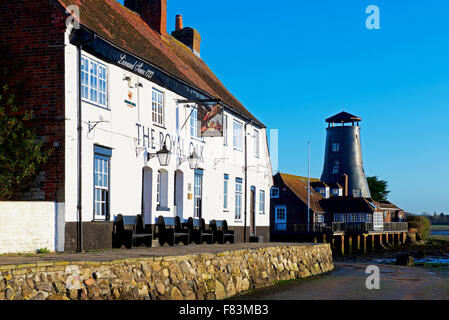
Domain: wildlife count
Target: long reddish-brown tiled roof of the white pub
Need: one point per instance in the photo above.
(126, 29)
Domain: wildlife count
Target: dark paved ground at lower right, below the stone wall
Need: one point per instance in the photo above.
(347, 282)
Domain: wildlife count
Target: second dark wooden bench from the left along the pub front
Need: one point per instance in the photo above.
(170, 229)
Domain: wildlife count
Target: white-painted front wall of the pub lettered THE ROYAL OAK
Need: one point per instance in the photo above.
(120, 134)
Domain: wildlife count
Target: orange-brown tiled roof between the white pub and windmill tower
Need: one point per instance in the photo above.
(298, 185)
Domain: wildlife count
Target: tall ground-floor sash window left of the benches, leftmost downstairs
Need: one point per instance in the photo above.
(102, 159)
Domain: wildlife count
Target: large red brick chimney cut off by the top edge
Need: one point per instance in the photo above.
(153, 12)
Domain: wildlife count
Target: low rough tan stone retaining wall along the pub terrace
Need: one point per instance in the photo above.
(189, 277)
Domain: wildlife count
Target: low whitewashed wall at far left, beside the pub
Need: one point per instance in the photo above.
(29, 226)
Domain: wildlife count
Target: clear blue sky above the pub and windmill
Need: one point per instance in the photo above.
(294, 63)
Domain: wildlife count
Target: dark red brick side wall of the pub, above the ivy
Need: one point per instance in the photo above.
(32, 37)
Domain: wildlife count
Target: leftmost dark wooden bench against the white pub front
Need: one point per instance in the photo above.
(129, 237)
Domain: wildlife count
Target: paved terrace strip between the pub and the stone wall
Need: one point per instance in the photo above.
(118, 254)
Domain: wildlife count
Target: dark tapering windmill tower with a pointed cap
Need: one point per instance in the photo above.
(343, 156)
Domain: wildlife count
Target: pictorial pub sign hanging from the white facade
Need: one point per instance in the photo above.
(210, 120)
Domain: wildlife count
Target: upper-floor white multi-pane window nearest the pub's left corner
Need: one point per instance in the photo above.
(94, 79)
